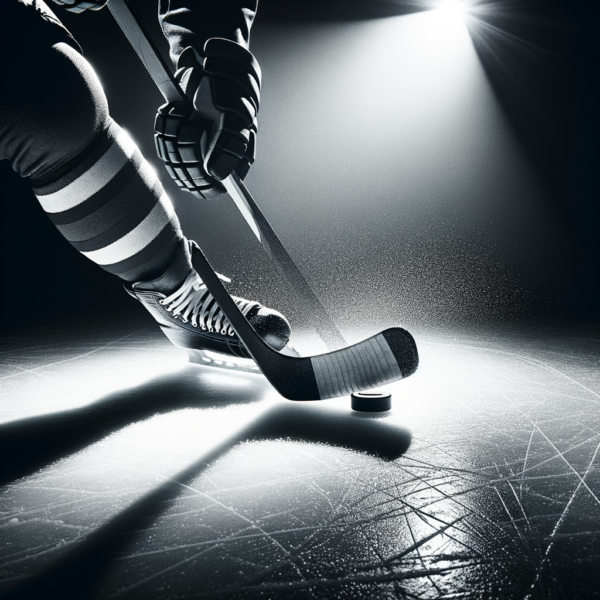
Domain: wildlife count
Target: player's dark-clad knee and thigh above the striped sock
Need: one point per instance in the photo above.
(53, 107)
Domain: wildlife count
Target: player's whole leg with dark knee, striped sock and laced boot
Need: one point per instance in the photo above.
(97, 188)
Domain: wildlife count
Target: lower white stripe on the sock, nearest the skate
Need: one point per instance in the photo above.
(137, 239)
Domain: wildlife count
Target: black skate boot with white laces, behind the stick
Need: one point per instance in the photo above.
(191, 319)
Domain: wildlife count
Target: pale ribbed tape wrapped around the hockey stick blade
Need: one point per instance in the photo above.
(364, 366)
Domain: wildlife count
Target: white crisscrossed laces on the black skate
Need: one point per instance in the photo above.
(193, 303)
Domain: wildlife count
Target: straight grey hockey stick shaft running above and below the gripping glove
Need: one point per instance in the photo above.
(162, 76)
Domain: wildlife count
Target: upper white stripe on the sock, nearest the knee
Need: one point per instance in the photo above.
(94, 179)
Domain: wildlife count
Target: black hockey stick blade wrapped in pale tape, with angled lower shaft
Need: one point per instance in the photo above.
(383, 358)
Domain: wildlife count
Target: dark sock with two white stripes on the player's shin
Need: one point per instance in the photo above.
(111, 207)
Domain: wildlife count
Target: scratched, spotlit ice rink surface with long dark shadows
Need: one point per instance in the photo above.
(128, 473)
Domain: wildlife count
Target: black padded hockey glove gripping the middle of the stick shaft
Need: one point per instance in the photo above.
(204, 145)
